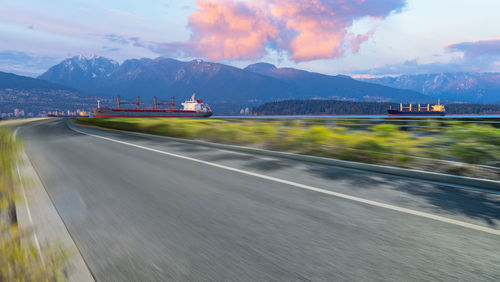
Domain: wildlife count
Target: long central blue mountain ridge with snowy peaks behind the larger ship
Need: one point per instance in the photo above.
(215, 83)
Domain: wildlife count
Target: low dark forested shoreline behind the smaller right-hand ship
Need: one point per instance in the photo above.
(318, 107)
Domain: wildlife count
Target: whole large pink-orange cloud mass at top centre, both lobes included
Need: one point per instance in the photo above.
(304, 29)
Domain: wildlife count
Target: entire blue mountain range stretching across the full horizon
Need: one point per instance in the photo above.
(77, 82)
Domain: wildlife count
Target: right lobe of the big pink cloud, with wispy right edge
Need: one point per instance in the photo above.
(320, 27)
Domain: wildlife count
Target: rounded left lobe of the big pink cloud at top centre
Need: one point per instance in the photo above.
(224, 30)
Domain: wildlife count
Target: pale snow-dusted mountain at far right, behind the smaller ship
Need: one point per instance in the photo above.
(471, 87)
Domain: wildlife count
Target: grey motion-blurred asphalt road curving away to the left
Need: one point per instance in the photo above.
(140, 215)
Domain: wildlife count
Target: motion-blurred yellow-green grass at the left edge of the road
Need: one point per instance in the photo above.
(20, 259)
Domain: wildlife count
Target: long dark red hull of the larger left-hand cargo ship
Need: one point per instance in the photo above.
(113, 113)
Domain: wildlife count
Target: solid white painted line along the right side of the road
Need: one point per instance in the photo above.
(310, 188)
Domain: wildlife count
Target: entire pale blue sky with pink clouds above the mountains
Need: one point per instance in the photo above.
(361, 38)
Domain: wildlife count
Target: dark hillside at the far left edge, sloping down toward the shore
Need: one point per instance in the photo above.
(38, 96)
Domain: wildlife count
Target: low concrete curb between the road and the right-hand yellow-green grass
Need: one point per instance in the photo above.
(411, 173)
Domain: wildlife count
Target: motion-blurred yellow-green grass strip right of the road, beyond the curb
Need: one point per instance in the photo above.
(385, 143)
